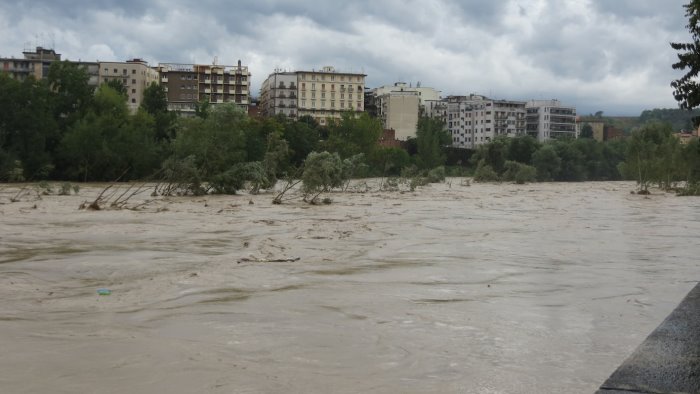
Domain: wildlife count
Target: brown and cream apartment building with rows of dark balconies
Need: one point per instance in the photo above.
(188, 84)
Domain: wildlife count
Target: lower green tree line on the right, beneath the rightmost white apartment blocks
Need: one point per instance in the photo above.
(652, 155)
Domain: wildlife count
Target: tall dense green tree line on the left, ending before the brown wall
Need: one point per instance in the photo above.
(61, 128)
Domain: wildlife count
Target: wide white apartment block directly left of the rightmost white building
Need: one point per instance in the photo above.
(475, 120)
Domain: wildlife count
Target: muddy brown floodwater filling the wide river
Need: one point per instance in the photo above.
(541, 288)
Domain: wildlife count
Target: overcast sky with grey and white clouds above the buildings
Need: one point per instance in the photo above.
(608, 55)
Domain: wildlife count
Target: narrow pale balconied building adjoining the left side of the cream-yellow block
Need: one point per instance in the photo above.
(278, 94)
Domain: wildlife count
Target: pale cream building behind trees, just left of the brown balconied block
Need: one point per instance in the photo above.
(135, 75)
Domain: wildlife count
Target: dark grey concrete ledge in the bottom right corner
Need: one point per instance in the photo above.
(668, 361)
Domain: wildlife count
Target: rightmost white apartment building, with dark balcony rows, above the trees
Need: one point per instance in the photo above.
(549, 119)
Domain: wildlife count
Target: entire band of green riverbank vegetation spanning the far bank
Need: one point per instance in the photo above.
(60, 129)
